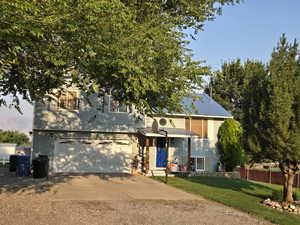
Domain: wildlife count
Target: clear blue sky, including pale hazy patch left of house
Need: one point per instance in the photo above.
(249, 30)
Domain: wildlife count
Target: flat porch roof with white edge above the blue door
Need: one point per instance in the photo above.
(171, 132)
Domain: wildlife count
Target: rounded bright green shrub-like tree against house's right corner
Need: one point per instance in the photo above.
(229, 143)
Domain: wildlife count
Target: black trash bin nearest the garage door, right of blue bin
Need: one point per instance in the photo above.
(40, 166)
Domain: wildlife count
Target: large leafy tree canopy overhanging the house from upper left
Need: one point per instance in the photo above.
(135, 47)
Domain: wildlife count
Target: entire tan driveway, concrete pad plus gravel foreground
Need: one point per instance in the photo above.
(105, 200)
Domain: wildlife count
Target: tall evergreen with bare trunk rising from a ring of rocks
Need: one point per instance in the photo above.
(282, 118)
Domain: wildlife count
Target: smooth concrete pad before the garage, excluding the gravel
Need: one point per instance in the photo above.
(117, 187)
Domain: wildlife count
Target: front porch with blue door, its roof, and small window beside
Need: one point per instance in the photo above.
(168, 148)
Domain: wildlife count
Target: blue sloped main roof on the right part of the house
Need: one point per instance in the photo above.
(204, 106)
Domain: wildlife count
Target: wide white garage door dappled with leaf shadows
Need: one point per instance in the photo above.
(92, 156)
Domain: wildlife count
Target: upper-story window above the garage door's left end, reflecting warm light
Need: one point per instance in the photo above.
(68, 100)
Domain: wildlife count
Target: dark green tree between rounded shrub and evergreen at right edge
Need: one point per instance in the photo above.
(252, 110)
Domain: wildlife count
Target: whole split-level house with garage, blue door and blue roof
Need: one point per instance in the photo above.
(95, 134)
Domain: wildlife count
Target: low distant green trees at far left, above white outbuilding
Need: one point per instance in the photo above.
(14, 137)
